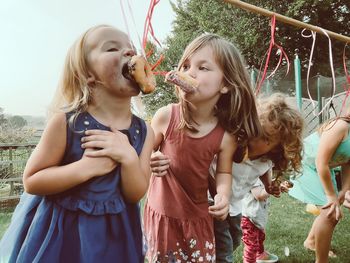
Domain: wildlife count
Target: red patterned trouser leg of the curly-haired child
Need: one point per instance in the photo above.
(253, 239)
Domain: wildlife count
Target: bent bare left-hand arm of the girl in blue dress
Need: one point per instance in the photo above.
(43, 174)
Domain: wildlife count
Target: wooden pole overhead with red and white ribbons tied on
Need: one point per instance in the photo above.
(286, 19)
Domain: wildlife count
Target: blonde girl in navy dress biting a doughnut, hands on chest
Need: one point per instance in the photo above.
(84, 179)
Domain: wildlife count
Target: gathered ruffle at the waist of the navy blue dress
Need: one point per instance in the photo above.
(92, 207)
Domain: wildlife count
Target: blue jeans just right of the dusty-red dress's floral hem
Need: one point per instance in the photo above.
(228, 236)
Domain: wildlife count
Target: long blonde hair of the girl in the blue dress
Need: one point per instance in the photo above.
(73, 92)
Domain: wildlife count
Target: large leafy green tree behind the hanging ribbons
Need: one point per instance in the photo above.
(251, 32)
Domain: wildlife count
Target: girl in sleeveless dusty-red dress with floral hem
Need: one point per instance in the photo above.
(217, 118)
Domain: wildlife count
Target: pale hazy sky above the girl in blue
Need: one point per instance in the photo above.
(36, 34)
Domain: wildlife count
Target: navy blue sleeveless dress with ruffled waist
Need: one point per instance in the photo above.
(88, 223)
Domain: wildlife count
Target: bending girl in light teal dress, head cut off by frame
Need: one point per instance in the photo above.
(324, 150)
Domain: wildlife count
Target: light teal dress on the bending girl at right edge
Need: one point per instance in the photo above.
(308, 187)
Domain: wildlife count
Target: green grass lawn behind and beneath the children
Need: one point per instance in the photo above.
(288, 226)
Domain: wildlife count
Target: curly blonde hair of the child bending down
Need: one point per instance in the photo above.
(284, 118)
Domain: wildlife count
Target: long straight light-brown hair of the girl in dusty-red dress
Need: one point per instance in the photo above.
(235, 110)
